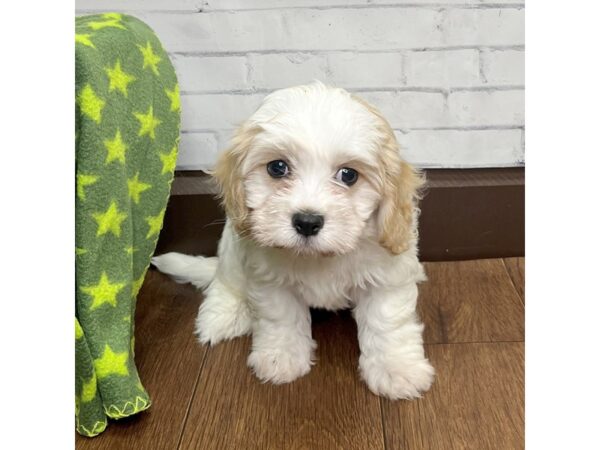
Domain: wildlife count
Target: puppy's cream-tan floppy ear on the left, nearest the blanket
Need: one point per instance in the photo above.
(228, 174)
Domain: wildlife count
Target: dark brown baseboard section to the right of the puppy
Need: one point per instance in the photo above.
(471, 214)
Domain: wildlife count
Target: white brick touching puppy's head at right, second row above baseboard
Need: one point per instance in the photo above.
(409, 109)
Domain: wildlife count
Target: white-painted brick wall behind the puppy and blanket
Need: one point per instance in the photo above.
(448, 75)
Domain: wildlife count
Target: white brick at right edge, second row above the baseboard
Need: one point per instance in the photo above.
(484, 108)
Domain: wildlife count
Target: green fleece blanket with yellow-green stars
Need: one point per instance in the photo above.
(127, 134)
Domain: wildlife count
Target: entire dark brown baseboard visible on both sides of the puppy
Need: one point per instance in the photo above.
(465, 214)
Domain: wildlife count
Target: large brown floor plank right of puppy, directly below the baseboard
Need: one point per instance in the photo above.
(470, 301)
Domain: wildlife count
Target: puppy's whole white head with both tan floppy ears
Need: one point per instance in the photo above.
(314, 170)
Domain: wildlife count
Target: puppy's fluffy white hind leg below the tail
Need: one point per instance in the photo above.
(224, 314)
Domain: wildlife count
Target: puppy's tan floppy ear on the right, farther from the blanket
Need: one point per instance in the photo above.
(400, 190)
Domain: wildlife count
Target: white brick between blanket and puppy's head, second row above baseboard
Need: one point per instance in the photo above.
(216, 111)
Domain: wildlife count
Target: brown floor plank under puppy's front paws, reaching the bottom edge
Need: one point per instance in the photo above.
(328, 408)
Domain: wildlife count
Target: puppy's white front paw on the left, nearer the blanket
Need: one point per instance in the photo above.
(279, 366)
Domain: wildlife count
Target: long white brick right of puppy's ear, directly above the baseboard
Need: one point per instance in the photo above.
(461, 148)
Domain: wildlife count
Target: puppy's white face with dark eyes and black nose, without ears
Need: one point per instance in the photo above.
(311, 193)
